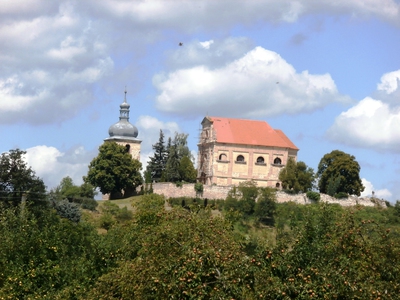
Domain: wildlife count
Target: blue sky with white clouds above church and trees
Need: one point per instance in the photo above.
(327, 73)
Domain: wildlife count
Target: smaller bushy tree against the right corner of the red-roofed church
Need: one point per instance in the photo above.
(297, 176)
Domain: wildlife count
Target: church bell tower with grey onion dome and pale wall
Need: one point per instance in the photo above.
(124, 133)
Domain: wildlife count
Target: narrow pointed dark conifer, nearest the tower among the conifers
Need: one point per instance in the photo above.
(158, 161)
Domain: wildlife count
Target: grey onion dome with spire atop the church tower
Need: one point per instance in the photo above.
(123, 129)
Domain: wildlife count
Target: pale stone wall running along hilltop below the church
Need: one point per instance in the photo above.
(221, 192)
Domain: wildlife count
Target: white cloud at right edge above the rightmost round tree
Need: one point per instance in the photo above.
(369, 124)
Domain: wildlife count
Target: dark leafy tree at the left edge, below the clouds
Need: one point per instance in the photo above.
(17, 178)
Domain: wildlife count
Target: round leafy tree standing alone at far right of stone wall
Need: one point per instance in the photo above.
(342, 167)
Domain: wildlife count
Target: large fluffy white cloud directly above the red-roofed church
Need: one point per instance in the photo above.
(260, 77)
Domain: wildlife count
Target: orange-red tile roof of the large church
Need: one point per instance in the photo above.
(249, 132)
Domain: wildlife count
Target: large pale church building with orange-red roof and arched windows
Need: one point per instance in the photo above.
(236, 150)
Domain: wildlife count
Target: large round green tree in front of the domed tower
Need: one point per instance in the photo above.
(113, 170)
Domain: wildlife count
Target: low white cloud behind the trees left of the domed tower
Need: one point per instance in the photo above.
(52, 165)
